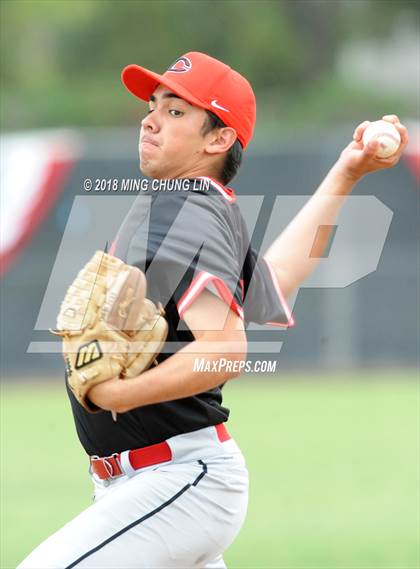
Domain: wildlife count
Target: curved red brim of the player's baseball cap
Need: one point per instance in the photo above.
(141, 82)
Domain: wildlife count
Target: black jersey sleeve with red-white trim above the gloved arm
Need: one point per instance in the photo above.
(190, 247)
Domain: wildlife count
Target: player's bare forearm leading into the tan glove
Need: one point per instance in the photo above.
(175, 378)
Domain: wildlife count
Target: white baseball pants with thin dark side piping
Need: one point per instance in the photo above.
(179, 514)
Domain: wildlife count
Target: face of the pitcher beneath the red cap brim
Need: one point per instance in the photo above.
(171, 144)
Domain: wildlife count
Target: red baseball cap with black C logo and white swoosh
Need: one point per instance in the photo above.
(205, 82)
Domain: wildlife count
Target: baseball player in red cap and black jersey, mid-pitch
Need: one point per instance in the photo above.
(171, 485)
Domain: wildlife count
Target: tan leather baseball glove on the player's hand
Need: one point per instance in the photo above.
(109, 328)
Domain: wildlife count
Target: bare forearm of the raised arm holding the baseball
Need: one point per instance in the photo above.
(296, 253)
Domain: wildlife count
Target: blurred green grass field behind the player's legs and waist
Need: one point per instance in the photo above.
(334, 467)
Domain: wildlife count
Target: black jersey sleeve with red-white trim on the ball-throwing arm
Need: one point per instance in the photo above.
(264, 302)
